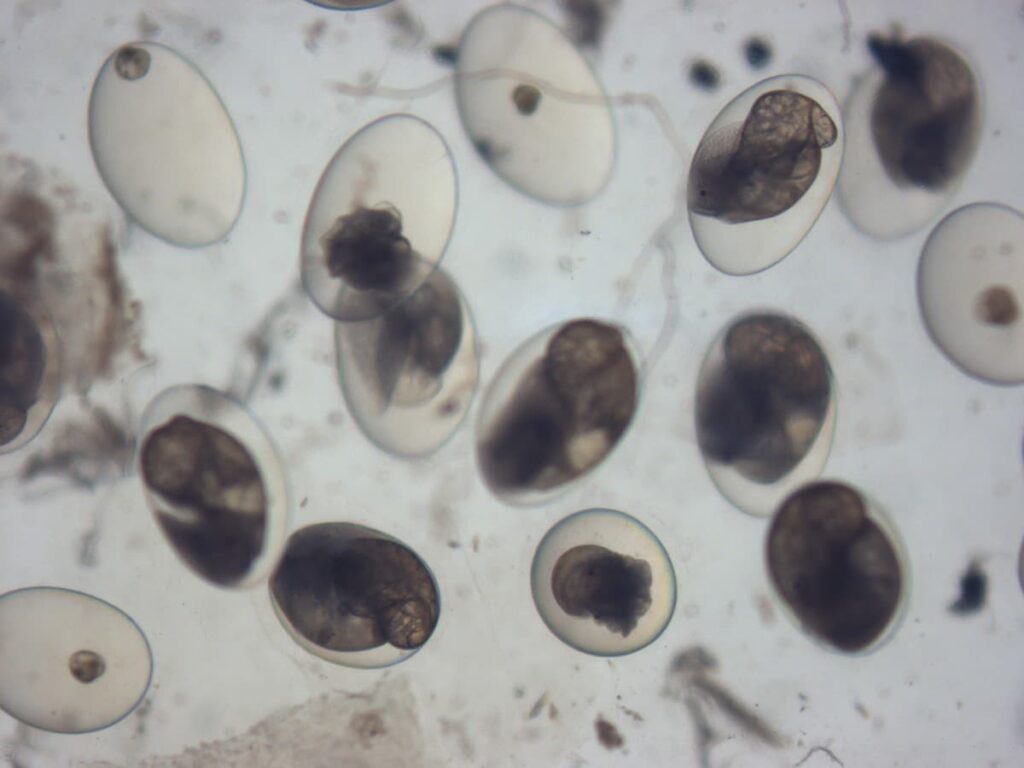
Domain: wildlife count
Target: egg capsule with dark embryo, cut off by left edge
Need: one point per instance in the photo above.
(30, 373)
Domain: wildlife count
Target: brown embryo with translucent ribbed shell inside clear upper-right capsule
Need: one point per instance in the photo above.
(758, 169)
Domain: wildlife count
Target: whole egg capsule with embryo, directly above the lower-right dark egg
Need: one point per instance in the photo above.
(765, 410)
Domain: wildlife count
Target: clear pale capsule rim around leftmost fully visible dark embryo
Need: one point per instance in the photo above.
(277, 490)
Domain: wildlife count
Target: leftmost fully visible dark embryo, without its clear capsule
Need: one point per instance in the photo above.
(203, 470)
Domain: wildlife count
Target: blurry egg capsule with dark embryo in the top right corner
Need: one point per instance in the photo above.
(913, 123)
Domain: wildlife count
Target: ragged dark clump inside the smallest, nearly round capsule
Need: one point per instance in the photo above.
(613, 589)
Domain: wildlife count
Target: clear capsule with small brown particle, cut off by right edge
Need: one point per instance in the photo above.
(971, 288)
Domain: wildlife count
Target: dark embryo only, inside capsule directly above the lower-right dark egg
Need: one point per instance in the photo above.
(762, 409)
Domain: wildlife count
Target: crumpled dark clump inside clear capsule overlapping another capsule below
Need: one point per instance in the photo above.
(367, 250)
